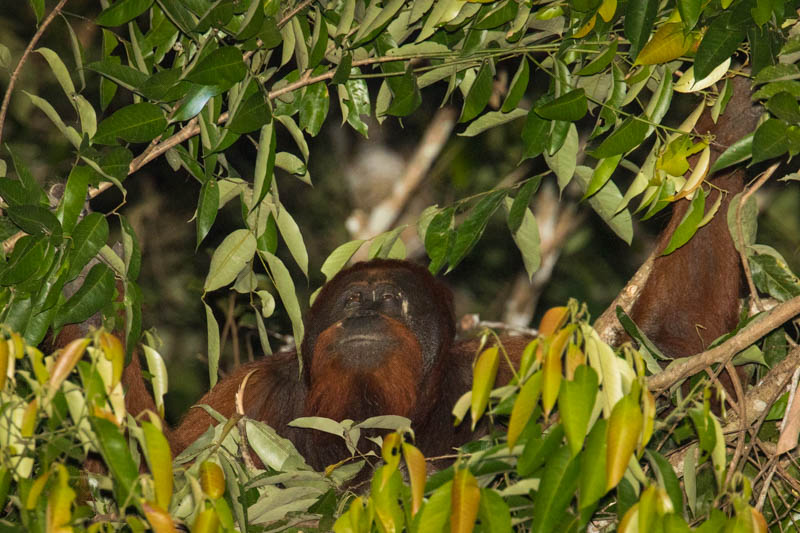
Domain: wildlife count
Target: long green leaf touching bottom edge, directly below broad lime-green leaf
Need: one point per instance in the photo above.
(556, 489)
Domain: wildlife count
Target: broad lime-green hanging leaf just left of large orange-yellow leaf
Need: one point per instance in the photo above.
(576, 400)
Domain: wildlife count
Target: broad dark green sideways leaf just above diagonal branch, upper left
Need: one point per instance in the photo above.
(135, 123)
